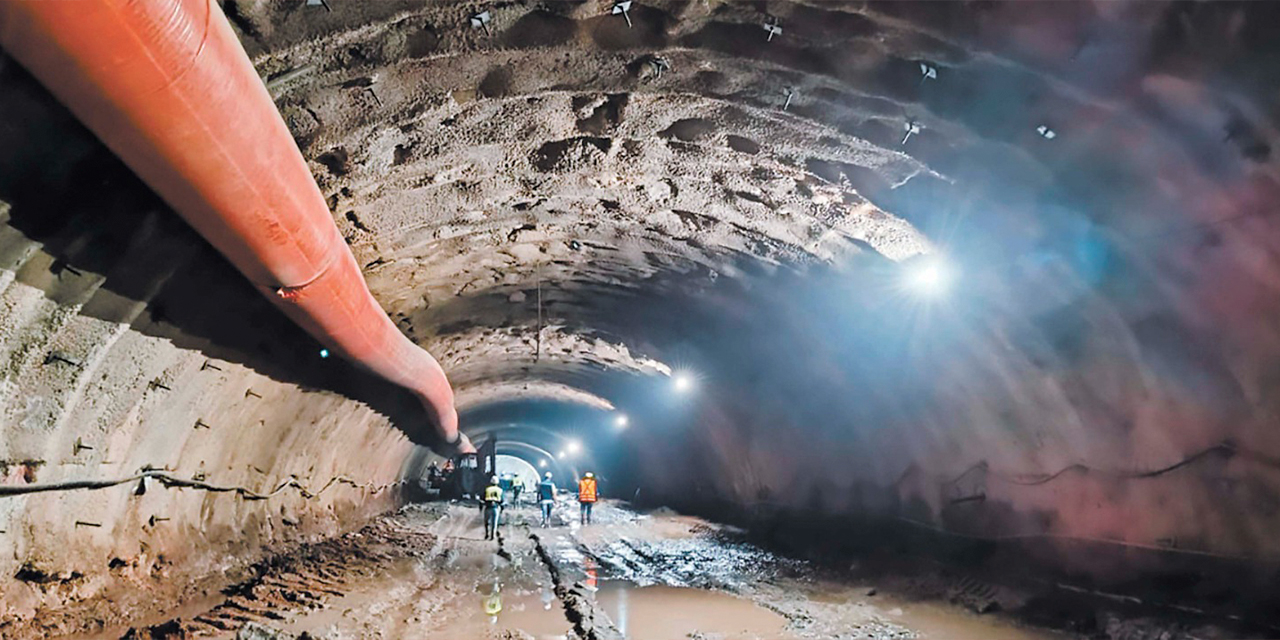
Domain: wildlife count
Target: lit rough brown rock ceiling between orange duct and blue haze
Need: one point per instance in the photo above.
(568, 153)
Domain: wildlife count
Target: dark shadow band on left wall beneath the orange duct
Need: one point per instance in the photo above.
(88, 211)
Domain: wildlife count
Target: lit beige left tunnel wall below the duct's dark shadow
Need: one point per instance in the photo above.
(99, 387)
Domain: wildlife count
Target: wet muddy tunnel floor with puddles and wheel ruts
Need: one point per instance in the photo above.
(427, 573)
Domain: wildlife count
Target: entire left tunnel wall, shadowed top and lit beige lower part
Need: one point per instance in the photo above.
(129, 348)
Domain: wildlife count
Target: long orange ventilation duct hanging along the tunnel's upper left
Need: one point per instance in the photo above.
(170, 89)
